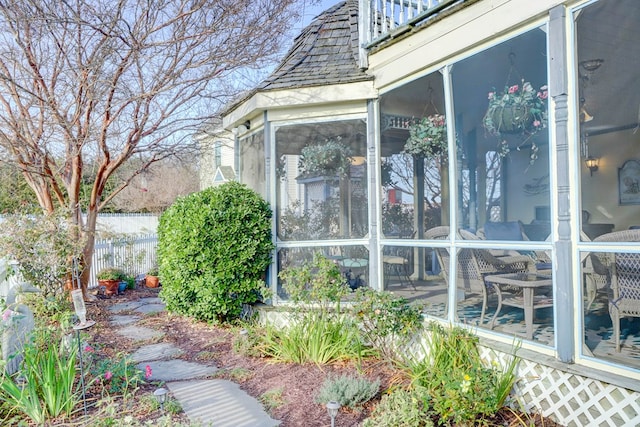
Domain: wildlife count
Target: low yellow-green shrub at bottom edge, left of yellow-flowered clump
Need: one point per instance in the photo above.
(401, 408)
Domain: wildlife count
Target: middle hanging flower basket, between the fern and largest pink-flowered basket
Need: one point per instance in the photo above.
(427, 137)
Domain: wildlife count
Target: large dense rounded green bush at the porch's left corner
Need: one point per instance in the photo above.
(214, 247)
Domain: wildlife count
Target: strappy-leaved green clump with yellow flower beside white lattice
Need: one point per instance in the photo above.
(462, 389)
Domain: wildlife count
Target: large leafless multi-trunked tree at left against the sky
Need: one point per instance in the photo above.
(99, 81)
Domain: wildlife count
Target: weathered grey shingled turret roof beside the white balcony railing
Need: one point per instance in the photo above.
(325, 52)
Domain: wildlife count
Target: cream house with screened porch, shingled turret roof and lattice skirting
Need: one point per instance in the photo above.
(510, 128)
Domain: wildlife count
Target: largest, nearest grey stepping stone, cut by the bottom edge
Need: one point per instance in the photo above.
(219, 403)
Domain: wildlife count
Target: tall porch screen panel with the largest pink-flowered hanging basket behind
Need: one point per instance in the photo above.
(503, 188)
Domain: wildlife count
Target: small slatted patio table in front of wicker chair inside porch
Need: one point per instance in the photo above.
(529, 302)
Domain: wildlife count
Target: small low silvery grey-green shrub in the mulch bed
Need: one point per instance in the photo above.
(348, 391)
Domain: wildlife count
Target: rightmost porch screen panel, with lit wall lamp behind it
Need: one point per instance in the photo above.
(608, 79)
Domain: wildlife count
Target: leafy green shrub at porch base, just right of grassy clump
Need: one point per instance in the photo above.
(386, 321)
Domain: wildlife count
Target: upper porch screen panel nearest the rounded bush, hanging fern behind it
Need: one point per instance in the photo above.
(321, 180)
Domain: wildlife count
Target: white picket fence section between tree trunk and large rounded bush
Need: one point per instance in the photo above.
(134, 254)
